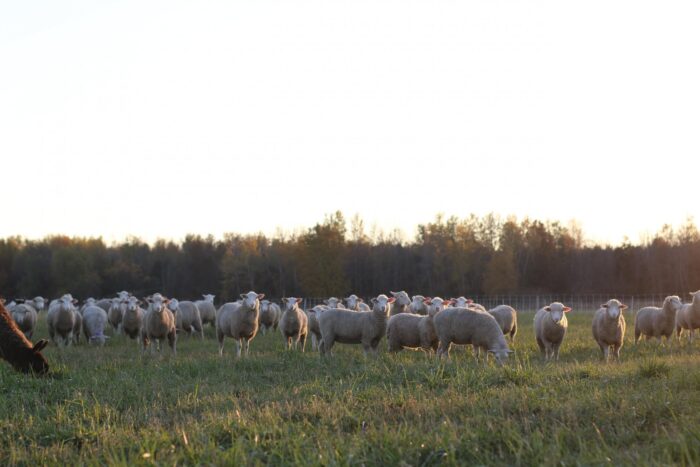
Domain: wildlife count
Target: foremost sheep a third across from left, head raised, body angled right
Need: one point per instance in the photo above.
(239, 320)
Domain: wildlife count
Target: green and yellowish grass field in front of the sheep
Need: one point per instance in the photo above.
(113, 406)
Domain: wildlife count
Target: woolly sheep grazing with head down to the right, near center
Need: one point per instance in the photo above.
(464, 326)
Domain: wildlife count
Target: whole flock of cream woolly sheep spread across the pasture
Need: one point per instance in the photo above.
(417, 322)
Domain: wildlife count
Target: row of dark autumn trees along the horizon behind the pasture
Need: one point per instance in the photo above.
(448, 257)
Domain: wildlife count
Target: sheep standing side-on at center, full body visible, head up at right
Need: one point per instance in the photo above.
(355, 327)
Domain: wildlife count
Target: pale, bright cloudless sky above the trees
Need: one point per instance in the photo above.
(162, 118)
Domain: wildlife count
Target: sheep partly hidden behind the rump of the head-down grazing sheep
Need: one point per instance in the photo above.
(409, 331)
